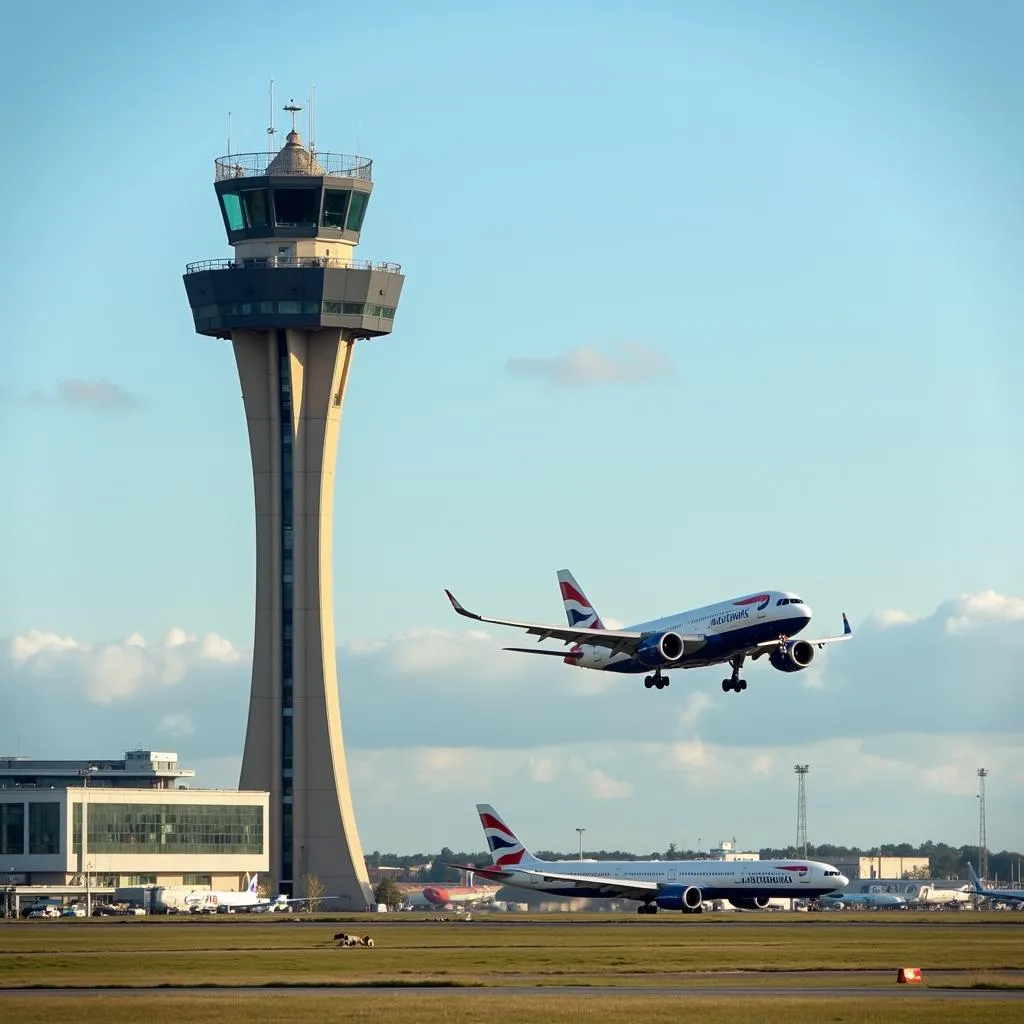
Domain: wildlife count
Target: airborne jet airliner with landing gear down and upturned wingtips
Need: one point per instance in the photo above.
(729, 633)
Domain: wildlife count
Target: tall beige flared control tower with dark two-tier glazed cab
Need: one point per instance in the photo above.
(294, 303)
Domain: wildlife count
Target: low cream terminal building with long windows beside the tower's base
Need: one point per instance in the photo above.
(141, 829)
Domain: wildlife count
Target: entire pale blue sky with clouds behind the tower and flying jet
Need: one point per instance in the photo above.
(701, 298)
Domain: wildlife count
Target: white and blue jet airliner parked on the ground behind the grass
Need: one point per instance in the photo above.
(659, 885)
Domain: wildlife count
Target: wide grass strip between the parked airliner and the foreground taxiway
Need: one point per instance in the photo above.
(663, 952)
